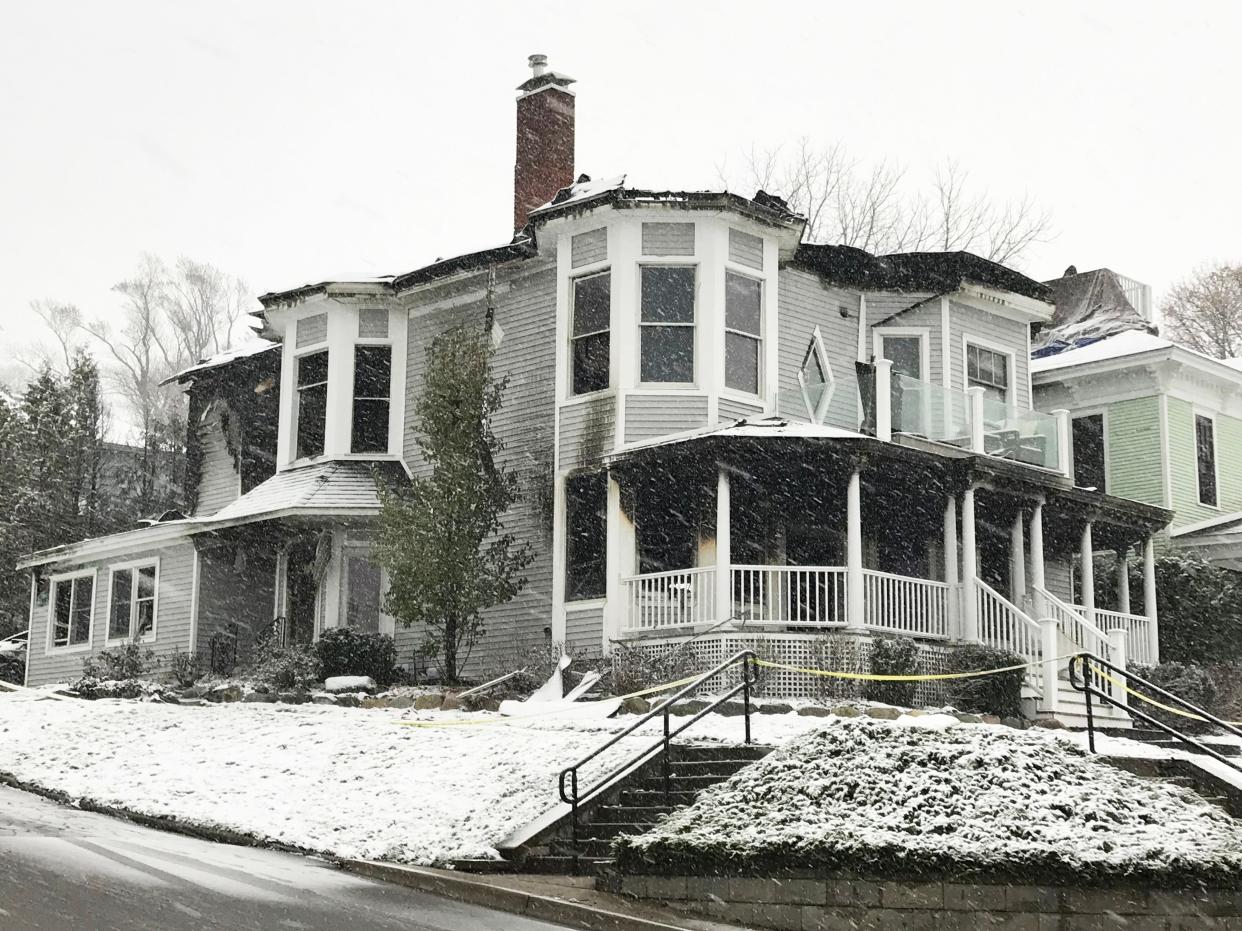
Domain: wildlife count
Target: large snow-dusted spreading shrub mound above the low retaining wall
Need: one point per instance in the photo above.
(877, 800)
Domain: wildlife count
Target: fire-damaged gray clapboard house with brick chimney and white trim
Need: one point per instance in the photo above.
(726, 435)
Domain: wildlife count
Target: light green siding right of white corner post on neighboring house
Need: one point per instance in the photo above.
(1183, 465)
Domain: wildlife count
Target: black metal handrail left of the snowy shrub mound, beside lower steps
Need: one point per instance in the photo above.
(572, 794)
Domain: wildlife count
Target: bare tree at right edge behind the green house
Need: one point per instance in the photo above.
(1205, 311)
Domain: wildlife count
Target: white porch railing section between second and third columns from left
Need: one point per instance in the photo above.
(793, 596)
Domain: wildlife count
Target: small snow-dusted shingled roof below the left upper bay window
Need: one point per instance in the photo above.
(316, 488)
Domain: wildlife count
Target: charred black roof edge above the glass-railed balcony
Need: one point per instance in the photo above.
(940, 272)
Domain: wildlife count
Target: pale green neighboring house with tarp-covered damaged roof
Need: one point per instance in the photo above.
(1152, 420)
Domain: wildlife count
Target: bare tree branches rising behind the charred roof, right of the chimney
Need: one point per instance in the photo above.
(876, 208)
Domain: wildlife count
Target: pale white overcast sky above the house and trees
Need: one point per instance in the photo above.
(288, 142)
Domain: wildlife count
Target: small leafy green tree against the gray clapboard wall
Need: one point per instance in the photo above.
(442, 538)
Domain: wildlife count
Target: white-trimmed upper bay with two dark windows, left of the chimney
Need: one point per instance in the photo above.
(342, 374)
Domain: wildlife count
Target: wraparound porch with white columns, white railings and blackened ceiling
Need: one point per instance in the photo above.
(791, 536)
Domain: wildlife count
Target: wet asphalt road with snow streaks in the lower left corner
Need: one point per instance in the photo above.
(63, 870)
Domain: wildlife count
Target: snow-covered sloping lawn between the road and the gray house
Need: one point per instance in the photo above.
(352, 783)
